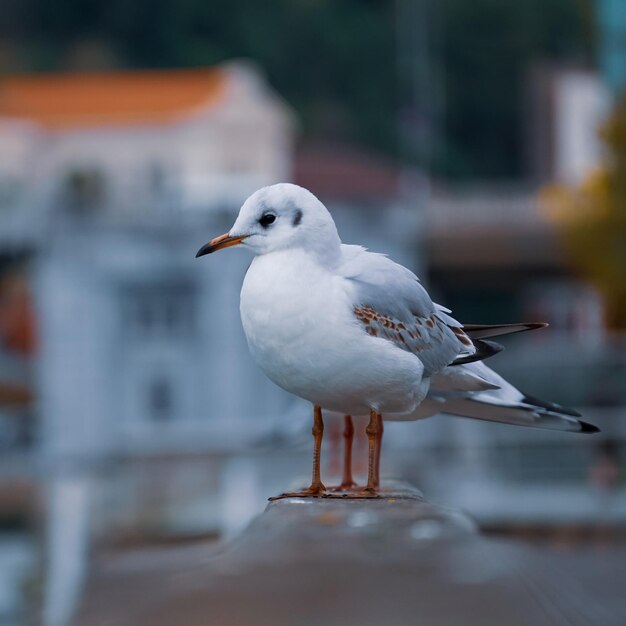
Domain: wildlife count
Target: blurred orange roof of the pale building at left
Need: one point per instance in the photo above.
(92, 99)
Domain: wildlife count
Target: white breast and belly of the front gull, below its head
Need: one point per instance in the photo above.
(299, 322)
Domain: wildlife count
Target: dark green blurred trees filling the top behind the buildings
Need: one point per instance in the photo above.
(336, 62)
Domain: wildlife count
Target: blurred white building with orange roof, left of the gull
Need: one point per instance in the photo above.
(115, 181)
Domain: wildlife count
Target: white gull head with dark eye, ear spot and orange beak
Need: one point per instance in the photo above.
(281, 217)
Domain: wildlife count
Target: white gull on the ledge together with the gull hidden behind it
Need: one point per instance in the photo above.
(355, 333)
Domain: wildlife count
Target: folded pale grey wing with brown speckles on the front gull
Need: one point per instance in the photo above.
(392, 304)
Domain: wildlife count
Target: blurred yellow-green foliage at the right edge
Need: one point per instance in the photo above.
(593, 221)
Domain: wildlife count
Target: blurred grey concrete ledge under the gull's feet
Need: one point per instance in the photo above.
(332, 562)
